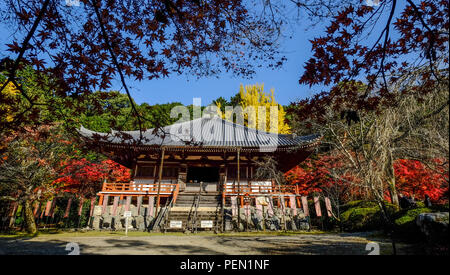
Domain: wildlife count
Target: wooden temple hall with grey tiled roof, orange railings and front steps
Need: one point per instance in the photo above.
(189, 174)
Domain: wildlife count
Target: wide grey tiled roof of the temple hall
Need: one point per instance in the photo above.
(202, 132)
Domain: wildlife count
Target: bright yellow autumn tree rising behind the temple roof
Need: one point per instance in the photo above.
(253, 97)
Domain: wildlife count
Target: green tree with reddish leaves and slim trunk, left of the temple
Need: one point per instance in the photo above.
(29, 167)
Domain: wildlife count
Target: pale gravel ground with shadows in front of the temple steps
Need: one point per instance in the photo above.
(334, 244)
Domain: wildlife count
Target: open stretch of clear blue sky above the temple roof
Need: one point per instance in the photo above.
(184, 87)
